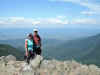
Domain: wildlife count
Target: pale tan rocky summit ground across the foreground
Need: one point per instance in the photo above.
(40, 66)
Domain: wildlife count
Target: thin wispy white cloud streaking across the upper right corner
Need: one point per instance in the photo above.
(93, 8)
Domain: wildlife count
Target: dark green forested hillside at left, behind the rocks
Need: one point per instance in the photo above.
(8, 50)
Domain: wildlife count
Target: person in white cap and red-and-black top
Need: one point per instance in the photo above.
(37, 41)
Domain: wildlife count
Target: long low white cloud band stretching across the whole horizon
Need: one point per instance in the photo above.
(59, 21)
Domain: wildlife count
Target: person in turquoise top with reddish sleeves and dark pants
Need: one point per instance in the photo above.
(29, 48)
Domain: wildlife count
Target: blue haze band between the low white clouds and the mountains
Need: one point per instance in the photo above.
(57, 33)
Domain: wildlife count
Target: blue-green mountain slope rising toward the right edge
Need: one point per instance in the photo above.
(86, 50)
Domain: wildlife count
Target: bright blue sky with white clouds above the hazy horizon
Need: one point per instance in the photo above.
(50, 13)
